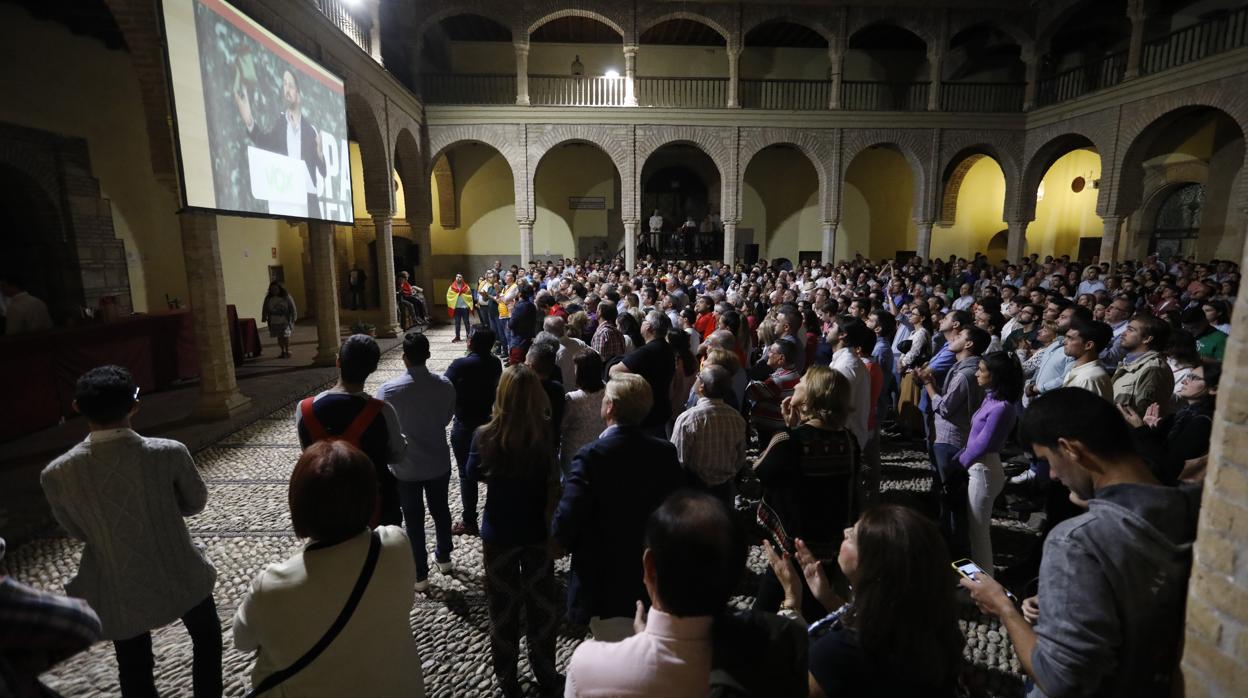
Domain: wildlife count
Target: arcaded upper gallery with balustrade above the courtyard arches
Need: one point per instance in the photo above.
(779, 66)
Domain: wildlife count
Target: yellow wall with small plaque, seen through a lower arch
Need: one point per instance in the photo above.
(575, 170)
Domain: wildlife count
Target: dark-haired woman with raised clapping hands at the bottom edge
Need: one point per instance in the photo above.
(898, 634)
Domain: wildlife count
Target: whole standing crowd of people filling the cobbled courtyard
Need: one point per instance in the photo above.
(652, 424)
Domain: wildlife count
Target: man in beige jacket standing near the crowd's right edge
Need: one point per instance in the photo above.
(1144, 378)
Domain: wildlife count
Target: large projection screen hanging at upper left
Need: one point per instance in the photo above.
(261, 128)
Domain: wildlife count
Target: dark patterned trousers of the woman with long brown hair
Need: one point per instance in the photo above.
(522, 578)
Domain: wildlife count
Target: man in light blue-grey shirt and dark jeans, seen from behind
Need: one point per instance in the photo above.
(425, 404)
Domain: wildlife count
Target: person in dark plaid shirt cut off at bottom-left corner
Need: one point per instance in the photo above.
(38, 630)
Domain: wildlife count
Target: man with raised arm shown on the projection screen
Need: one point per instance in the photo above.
(290, 135)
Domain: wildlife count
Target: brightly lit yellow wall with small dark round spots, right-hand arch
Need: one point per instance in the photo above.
(1063, 218)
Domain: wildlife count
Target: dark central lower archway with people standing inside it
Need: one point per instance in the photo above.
(681, 183)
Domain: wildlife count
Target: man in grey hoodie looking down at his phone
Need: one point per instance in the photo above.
(1114, 580)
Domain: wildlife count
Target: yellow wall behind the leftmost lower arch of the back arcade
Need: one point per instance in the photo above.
(487, 205)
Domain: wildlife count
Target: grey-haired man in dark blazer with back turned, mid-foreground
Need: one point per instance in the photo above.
(615, 485)
